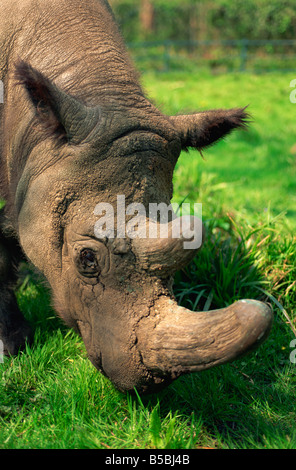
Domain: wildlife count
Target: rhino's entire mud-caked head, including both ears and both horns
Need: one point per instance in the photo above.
(113, 283)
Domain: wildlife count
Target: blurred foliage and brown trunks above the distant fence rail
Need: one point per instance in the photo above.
(204, 20)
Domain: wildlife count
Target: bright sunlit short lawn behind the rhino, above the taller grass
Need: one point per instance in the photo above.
(255, 169)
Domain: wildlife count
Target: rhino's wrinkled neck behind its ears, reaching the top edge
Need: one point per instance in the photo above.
(77, 44)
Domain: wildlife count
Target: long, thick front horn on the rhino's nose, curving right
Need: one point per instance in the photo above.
(174, 340)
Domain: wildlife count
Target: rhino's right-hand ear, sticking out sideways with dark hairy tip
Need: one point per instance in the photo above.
(204, 129)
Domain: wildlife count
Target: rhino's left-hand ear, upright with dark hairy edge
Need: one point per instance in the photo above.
(62, 115)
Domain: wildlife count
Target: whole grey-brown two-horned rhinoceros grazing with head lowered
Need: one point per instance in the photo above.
(78, 131)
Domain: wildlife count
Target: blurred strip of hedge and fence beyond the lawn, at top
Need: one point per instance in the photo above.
(254, 35)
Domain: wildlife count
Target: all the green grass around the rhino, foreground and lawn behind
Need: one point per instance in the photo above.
(52, 397)
